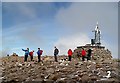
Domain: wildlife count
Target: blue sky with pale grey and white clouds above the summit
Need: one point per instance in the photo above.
(61, 24)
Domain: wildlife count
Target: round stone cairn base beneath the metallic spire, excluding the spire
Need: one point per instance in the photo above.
(98, 52)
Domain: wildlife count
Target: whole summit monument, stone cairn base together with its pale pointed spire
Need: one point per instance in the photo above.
(99, 52)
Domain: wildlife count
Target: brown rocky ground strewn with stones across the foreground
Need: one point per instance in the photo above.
(13, 70)
